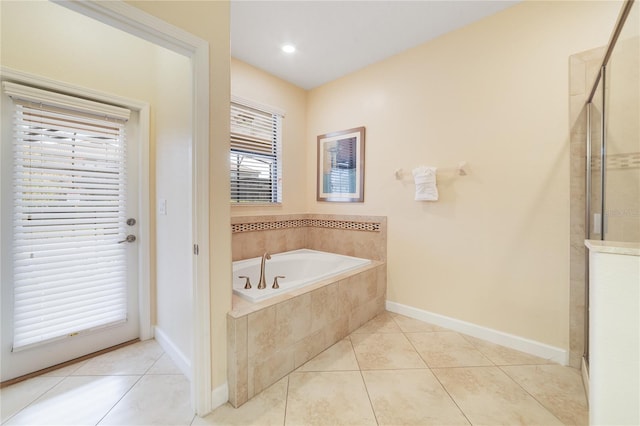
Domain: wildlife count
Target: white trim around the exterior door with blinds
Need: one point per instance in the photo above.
(142, 108)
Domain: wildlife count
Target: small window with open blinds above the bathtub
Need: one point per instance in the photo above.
(255, 157)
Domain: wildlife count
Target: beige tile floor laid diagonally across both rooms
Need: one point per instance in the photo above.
(392, 371)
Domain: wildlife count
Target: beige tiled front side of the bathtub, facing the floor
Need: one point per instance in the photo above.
(270, 339)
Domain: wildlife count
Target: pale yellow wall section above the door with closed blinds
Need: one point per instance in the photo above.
(64, 46)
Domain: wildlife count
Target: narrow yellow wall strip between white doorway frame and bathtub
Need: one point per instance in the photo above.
(209, 20)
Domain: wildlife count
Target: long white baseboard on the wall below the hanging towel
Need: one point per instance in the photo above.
(522, 344)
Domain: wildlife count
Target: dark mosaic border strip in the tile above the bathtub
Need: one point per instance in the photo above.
(302, 223)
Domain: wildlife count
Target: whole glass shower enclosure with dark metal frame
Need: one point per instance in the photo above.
(612, 210)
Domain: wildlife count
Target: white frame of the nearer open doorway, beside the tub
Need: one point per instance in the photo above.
(139, 23)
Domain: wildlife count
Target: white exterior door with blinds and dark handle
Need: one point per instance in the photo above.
(69, 228)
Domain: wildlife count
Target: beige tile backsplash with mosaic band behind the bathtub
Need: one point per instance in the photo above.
(359, 236)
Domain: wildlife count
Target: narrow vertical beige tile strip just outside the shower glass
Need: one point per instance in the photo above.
(583, 68)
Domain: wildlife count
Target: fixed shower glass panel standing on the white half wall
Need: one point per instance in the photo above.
(622, 106)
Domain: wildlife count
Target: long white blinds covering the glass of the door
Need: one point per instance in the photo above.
(69, 199)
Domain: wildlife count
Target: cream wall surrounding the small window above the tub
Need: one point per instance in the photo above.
(251, 83)
